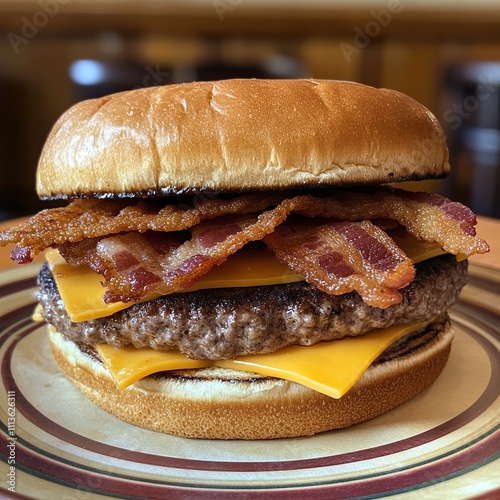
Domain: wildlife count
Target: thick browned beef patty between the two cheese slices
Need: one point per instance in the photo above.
(229, 322)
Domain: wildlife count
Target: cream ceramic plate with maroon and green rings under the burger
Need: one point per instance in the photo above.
(57, 444)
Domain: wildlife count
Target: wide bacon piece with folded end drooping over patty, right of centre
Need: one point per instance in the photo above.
(340, 257)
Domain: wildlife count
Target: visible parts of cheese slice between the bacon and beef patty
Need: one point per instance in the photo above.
(82, 292)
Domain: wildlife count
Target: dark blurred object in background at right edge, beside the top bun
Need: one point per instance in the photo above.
(473, 128)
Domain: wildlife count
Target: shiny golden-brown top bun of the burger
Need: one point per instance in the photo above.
(239, 135)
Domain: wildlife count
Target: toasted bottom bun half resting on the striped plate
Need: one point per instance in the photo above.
(215, 403)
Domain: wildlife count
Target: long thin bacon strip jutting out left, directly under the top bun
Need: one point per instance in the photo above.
(98, 218)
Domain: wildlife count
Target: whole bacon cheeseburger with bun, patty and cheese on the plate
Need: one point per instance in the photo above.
(235, 260)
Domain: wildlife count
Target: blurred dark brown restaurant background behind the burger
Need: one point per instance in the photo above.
(445, 54)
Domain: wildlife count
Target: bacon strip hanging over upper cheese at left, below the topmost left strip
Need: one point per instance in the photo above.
(212, 241)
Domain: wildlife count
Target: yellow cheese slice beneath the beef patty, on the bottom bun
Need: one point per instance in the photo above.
(331, 368)
